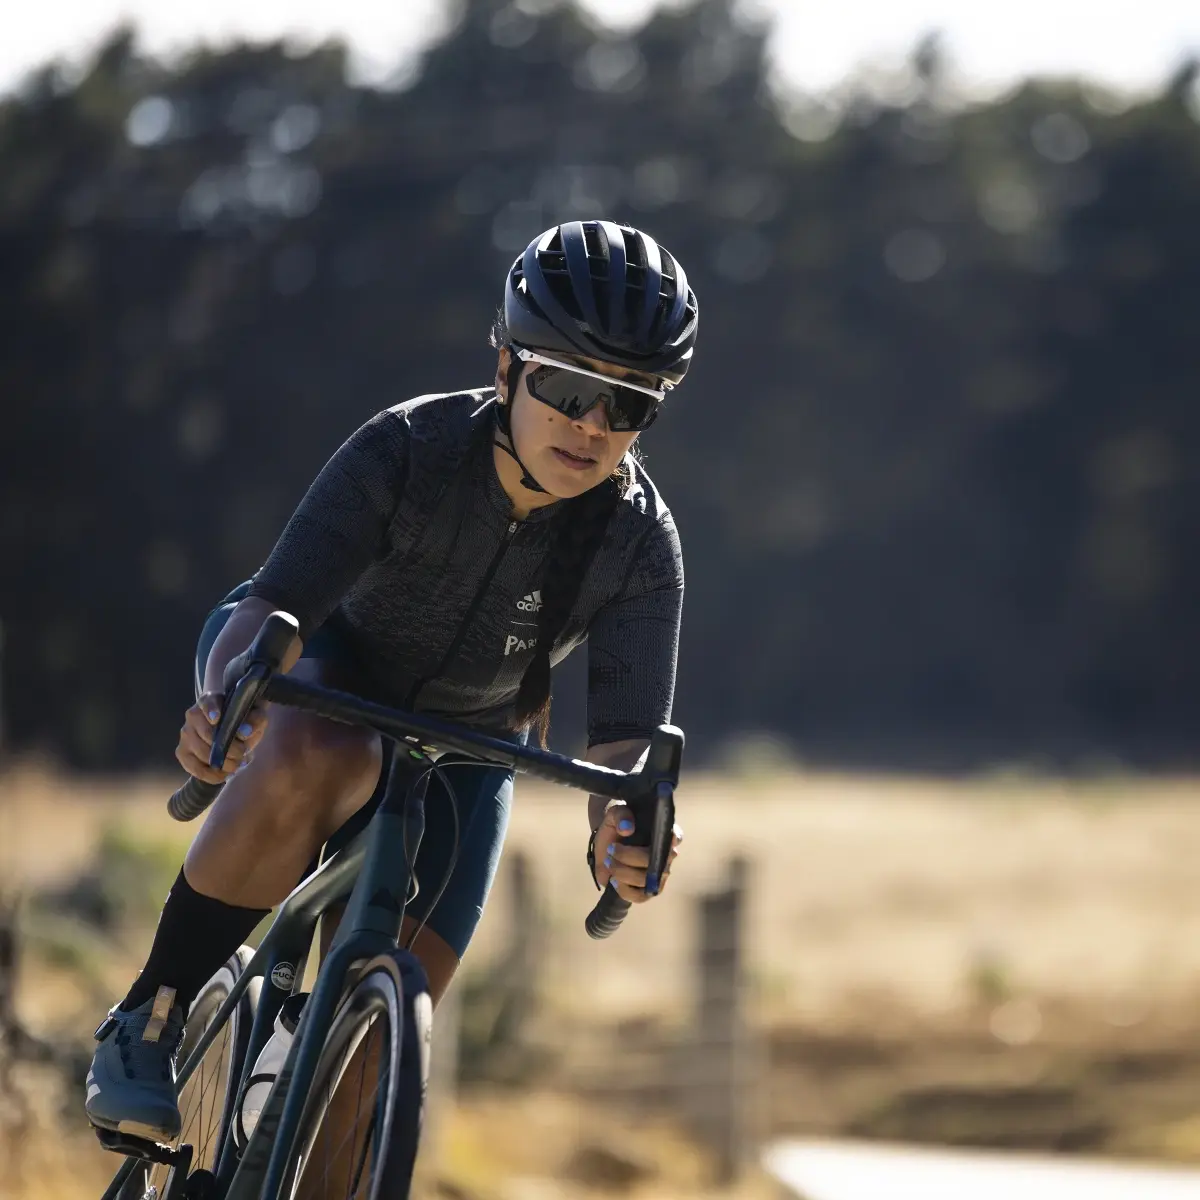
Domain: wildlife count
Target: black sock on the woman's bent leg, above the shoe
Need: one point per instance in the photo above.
(196, 935)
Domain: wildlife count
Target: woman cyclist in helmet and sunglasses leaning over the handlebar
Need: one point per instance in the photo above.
(447, 556)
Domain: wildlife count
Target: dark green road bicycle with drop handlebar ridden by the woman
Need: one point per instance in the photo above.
(344, 1115)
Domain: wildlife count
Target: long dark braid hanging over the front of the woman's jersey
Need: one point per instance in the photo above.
(579, 530)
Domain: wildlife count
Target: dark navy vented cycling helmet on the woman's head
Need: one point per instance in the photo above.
(608, 292)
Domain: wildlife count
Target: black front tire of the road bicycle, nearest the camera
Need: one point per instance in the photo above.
(389, 1004)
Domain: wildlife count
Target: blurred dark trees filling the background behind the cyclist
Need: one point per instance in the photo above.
(935, 470)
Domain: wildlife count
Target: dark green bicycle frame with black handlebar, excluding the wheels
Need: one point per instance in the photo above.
(374, 872)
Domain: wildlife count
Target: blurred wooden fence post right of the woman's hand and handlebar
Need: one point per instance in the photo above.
(718, 1072)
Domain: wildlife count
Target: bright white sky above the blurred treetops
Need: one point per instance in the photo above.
(1131, 47)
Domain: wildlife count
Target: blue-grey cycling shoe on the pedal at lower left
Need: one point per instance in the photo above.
(131, 1083)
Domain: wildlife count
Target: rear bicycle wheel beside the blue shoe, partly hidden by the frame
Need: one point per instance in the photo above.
(207, 1088)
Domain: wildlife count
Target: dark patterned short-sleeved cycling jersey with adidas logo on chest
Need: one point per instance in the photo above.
(406, 543)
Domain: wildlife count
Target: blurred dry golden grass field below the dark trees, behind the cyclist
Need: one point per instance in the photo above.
(1001, 962)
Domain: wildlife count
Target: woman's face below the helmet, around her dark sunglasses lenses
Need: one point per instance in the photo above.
(567, 457)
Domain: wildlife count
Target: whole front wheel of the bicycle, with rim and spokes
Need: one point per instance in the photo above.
(362, 1117)
